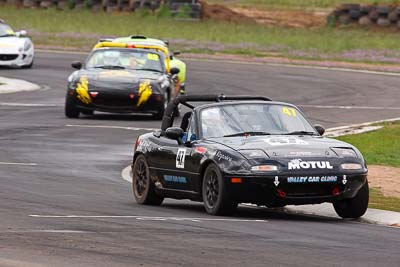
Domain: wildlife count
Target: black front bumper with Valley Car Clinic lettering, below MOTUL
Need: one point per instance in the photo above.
(285, 190)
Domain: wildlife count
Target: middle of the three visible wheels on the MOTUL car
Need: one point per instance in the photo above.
(215, 195)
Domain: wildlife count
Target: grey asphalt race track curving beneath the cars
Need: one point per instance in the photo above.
(63, 202)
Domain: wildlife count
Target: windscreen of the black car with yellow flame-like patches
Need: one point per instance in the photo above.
(125, 59)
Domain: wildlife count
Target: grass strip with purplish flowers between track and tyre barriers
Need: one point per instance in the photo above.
(82, 29)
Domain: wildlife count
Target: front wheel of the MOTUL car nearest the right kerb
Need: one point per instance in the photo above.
(353, 207)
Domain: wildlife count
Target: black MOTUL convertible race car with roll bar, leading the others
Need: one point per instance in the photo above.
(245, 149)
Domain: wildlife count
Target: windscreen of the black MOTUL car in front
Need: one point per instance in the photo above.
(253, 119)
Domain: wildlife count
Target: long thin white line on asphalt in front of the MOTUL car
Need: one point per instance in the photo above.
(145, 218)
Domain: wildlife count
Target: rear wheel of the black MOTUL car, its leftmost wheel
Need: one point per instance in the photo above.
(143, 188)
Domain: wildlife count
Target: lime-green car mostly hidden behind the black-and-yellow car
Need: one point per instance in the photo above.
(142, 40)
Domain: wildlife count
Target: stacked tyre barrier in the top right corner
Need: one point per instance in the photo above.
(366, 15)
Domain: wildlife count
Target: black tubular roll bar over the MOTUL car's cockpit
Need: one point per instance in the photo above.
(168, 118)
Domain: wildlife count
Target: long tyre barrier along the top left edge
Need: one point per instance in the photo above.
(178, 8)
